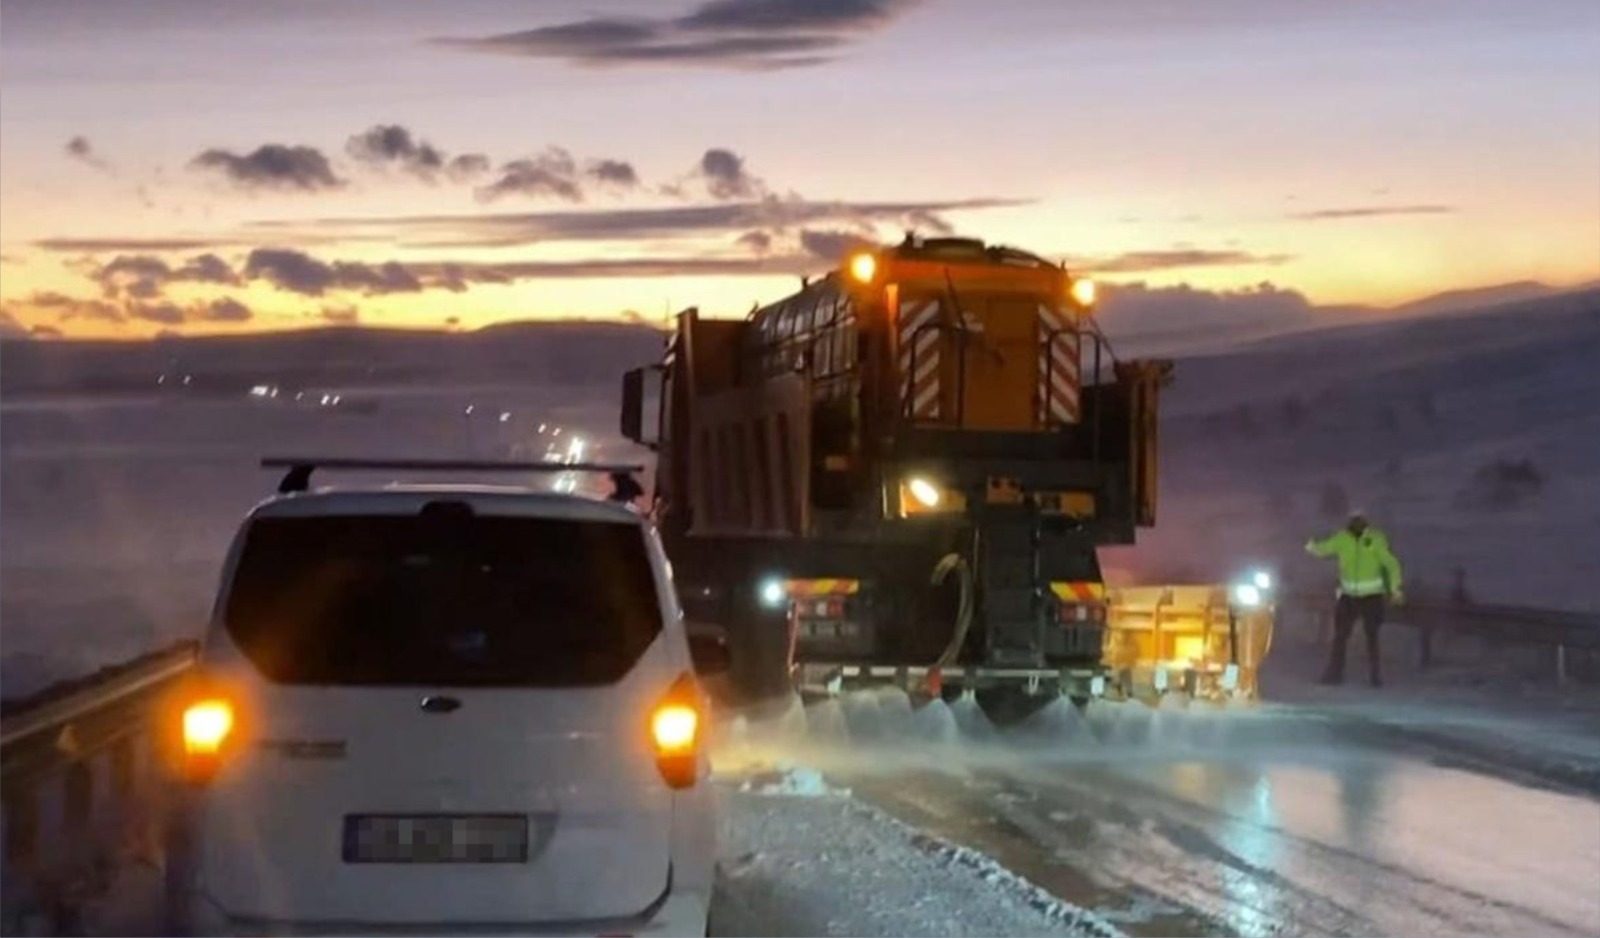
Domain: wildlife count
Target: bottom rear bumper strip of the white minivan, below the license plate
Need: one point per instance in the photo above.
(673, 913)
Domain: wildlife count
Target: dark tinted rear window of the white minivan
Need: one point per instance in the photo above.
(455, 601)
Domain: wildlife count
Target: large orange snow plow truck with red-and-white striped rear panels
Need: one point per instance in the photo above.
(902, 475)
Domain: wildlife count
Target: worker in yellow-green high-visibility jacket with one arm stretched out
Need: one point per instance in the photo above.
(1369, 577)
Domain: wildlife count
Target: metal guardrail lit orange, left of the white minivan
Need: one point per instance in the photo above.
(81, 788)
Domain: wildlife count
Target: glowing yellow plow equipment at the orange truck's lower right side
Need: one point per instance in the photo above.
(1207, 641)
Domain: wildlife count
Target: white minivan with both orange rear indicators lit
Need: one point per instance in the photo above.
(446, 710)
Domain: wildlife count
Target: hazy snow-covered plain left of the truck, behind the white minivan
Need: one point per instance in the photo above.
(116, 515)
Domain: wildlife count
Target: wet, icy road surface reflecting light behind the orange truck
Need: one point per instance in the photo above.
(1278, 822)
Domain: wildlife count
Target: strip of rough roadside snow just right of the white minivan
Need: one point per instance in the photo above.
(828, 865)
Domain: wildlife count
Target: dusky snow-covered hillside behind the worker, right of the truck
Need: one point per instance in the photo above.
(1470, 439)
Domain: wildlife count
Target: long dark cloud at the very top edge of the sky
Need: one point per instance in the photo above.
(730, 34)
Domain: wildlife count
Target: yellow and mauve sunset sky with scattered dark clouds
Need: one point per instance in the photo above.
(201, 167)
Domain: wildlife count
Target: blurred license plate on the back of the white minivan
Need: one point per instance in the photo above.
(436, 840)
